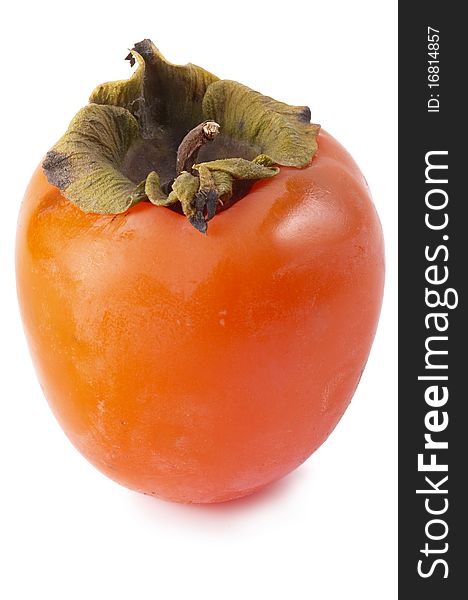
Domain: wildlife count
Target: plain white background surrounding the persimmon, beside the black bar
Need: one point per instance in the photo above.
(328, 531)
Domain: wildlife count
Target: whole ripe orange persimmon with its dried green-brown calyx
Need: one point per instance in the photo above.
(198, 368)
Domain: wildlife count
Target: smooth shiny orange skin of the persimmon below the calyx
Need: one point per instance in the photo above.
(200, 368)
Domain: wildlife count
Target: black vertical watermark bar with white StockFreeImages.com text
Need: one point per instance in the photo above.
(433, 332)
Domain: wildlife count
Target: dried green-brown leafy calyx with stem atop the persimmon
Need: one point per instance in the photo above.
(175, 136)
